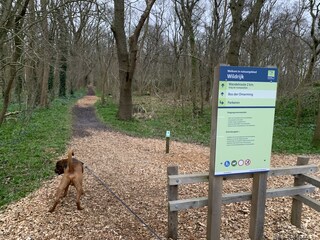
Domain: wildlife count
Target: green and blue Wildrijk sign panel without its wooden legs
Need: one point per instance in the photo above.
(246, 106)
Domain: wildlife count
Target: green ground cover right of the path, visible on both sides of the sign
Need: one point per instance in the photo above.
(287, 137)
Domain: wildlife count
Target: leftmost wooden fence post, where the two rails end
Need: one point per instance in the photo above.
(172, 195)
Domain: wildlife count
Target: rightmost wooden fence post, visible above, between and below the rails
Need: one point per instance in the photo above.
(296, 209)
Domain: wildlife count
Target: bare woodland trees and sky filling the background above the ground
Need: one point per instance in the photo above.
(166, 49)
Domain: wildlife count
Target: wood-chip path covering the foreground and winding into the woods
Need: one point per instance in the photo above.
(135, 169)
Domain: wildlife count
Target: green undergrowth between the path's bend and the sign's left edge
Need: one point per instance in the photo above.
(178, 121)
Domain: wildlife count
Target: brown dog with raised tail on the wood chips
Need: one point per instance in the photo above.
(72, 170)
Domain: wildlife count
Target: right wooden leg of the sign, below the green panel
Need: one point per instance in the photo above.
(258, 202)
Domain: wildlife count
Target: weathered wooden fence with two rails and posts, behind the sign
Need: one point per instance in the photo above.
(297, 192)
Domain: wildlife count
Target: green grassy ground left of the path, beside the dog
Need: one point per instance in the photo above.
(27, 146)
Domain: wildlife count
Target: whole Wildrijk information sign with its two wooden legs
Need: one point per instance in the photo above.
(241, 138)
